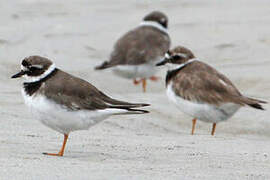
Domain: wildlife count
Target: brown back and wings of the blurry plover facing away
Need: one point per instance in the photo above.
(138, 46)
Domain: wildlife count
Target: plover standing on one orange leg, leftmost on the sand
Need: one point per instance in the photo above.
(64, 102)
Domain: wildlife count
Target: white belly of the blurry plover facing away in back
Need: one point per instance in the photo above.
(136, 71)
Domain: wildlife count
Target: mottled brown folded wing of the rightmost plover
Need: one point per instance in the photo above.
(203, 84)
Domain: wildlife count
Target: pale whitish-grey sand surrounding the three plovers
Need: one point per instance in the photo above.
(231, 35)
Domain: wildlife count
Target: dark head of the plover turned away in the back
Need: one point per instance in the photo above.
(157, 16)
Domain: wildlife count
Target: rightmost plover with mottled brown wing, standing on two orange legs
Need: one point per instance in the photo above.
(201, 91)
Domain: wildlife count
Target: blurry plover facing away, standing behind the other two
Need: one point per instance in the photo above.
(135, 54)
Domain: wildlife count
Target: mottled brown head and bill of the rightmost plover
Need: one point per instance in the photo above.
(178, 55)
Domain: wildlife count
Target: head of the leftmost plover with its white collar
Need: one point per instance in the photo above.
(35, 68)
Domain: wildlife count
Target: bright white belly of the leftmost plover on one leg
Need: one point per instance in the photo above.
(61, 119)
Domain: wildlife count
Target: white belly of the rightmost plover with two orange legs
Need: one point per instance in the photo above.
(203, 112)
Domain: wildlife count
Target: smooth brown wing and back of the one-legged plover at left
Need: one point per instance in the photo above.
(75, 94)
